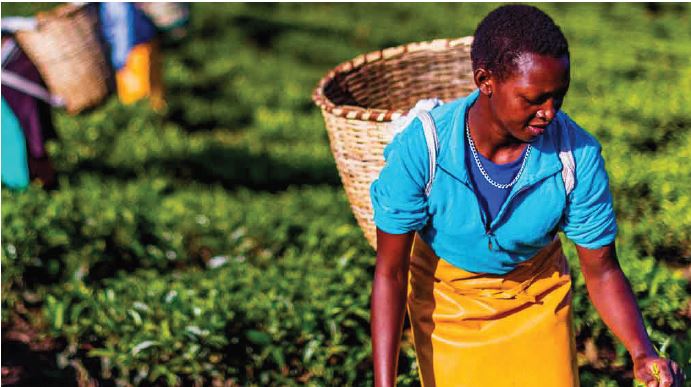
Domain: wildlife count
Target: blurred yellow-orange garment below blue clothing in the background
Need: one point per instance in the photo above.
(141, 76)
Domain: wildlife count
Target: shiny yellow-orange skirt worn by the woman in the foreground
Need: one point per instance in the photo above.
(473, 329)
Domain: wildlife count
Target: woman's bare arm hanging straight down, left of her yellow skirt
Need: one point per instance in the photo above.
(388, 303)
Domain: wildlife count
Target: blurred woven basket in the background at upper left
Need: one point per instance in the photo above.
(66, 49)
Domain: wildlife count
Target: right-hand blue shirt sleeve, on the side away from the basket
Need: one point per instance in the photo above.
(589, 219)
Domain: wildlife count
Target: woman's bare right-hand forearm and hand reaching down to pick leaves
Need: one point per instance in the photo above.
(614, 300)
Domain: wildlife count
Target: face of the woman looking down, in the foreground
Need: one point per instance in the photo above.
(529, 98)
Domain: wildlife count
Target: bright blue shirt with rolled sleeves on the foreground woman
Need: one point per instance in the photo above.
(450, 219)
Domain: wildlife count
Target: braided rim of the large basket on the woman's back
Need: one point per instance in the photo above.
(374, 114)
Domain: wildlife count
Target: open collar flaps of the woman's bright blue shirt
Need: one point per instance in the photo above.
(542, 162)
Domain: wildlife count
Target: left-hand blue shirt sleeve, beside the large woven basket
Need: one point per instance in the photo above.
(398, 195)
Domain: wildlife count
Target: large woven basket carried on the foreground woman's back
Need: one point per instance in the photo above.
(361, 97)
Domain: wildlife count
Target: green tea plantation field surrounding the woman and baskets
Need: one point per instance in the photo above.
(213, 241)
